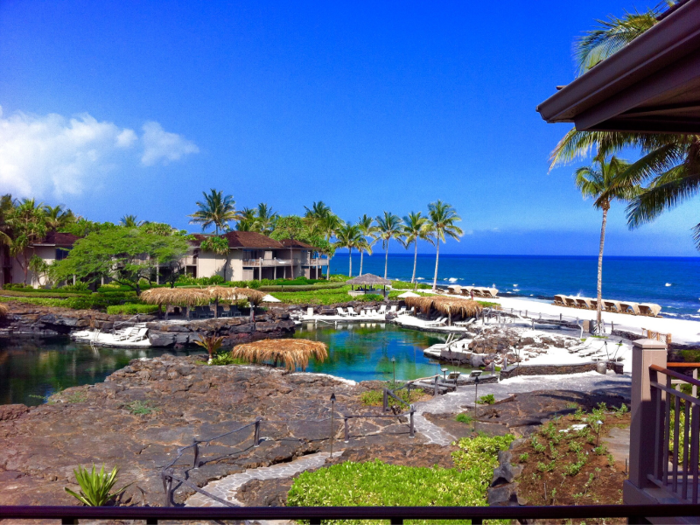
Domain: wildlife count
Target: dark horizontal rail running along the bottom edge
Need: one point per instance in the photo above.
(396, 515)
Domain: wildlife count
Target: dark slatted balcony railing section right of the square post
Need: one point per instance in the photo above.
(676, 435)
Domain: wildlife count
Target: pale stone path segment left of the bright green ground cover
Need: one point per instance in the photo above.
(227, 487)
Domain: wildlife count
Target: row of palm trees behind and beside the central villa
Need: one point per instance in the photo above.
(322, 228)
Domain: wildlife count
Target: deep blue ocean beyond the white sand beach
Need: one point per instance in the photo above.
(671, 282)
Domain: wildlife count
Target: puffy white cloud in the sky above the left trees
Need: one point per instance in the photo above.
(51, 155)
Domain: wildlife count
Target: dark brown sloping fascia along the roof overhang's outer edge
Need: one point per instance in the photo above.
(672, 38)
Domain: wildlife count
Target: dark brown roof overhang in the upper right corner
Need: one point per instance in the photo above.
(652, 85)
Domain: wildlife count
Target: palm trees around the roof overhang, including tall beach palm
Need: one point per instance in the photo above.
(667, 171)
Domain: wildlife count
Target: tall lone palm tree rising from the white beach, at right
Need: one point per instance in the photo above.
(604, 184)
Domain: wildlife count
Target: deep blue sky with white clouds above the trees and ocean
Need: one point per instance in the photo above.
(125, 107)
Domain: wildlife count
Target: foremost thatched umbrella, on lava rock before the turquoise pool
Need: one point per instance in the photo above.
(293, 352)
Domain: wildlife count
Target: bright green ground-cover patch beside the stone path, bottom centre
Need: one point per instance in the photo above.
(378, 484)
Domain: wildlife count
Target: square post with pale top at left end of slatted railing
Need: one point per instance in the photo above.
(646, 352)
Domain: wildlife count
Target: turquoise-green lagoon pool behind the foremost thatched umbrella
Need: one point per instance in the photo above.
(363, 351)
